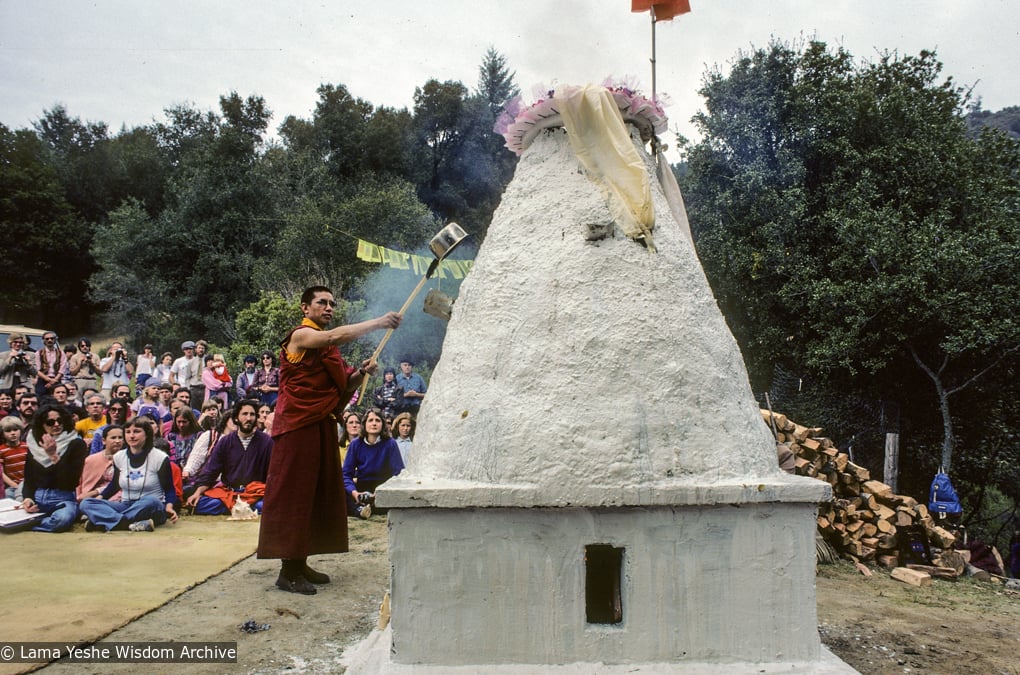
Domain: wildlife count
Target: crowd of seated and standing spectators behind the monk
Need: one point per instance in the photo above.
(131, 446)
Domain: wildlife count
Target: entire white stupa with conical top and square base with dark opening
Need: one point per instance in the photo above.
(592, 487)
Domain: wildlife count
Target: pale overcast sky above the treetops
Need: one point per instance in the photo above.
(124, 62)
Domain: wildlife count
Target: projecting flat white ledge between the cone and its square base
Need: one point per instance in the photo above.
(416, 493)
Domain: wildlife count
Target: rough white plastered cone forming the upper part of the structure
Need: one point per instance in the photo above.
(579, 361)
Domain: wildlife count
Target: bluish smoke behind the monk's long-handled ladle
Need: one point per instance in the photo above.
(421, 336)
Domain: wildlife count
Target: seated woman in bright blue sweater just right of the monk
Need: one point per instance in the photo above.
(372, 459)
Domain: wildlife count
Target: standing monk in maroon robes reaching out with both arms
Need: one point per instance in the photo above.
(305, 512)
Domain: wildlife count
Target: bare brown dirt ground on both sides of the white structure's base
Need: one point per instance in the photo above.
(877, 626)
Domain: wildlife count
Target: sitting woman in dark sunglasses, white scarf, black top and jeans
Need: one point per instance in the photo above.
(54, 470)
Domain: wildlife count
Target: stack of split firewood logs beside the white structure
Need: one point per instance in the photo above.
(863, 521)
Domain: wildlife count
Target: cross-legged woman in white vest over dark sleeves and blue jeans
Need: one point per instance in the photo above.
(143, 476)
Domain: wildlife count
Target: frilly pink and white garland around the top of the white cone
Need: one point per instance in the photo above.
(520, 124)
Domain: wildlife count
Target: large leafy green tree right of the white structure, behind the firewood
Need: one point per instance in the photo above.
(851, 227)
